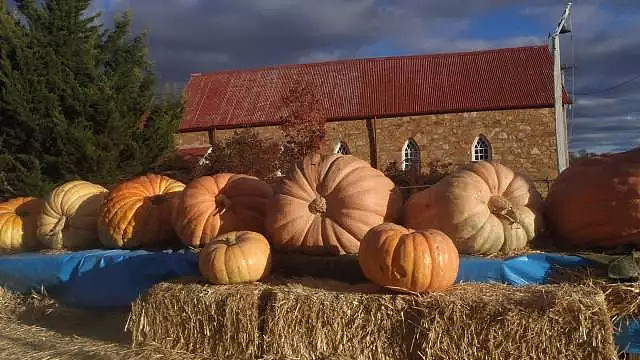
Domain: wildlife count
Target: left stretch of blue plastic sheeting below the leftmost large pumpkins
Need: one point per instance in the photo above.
(95, 278)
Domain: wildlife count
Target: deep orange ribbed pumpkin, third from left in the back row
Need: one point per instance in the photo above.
(137, 213)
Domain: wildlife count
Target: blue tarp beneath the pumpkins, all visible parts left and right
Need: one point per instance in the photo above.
(114, 278)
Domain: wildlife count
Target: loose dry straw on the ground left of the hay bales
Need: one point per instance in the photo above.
(36, 327)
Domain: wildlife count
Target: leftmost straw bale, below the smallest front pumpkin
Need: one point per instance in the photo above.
(217, 321)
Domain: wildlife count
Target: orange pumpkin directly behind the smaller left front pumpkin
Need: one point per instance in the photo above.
(221, 203)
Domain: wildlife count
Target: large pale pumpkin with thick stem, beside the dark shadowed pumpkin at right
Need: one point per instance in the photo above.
(485, 208)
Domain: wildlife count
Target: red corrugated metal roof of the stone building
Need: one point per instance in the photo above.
(377, 87)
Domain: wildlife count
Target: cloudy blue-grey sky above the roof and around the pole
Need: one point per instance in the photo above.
(188, 36)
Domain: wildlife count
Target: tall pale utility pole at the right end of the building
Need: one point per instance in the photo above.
(562, 141)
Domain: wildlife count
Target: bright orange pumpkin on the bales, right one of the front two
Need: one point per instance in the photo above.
(407, 260)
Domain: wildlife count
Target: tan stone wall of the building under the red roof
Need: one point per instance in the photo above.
(522, 139)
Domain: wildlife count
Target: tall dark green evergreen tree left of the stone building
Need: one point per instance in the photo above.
(76, 99)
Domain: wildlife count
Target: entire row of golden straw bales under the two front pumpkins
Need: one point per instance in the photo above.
(324, 319)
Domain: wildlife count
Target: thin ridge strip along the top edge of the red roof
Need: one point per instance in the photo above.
(365, 59)
